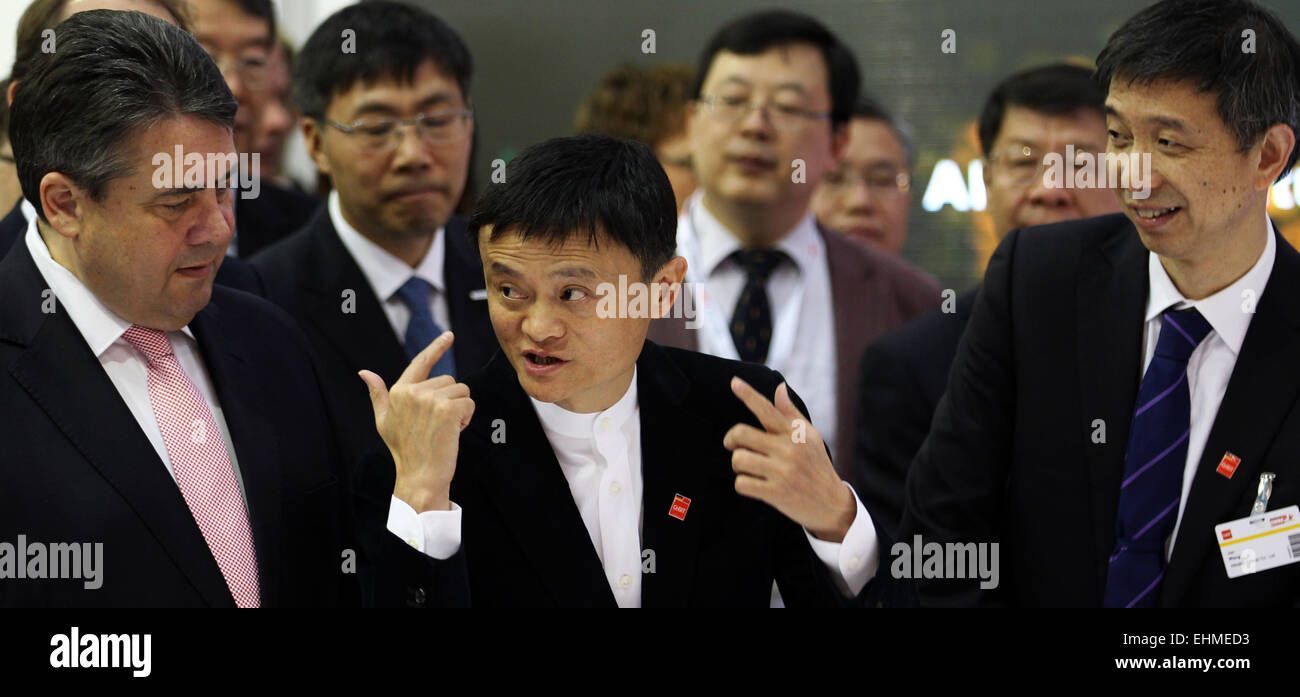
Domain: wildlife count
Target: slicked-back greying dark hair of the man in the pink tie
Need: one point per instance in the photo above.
(115, 75)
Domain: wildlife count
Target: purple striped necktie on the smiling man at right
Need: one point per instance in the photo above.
(1154, 465)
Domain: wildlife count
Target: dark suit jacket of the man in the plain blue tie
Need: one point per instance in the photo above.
(309, 274)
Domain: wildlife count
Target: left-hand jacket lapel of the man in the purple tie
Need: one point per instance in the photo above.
(1111, 305)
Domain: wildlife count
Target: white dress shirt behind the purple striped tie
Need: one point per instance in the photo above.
(1211, 365)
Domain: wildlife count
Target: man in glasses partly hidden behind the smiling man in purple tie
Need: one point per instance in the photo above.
(904, 374)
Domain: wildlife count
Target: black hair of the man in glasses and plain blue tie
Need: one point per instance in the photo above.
(392, 41)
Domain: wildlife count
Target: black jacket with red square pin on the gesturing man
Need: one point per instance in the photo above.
(527, 544)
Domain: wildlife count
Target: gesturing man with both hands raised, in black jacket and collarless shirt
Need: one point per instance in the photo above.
(593, 467)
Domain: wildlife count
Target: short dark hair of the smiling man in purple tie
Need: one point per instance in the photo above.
(1203, 42)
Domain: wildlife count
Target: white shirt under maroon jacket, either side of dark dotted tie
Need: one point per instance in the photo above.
(803, 347)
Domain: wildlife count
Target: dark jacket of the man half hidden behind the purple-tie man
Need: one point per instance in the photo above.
(903, 376)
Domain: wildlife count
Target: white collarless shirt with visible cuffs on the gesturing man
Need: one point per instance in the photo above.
(600, 456)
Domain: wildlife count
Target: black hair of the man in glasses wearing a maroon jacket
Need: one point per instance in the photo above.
(756, 33)
